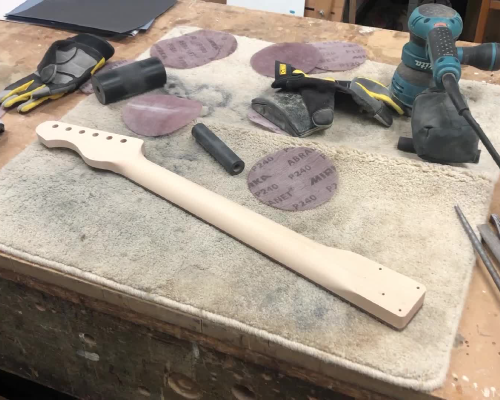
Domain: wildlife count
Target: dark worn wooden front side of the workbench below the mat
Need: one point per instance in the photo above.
(92, 355)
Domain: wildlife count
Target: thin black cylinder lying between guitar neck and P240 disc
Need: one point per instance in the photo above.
(218, 149)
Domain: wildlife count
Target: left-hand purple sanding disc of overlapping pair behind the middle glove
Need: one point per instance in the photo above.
(302, 56)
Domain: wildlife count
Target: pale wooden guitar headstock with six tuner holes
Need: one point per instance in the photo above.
(99, 149)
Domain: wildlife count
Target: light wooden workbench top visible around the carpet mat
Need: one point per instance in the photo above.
(475, 363)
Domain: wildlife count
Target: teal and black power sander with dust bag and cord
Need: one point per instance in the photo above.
(425, 85)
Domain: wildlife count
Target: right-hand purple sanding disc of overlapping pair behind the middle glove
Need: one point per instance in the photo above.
(339, 56)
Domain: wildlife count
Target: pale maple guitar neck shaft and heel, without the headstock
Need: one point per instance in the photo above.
(391, 297)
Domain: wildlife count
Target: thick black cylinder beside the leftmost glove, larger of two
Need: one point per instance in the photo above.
(129, 80)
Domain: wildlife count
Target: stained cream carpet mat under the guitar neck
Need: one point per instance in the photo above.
(393, 210)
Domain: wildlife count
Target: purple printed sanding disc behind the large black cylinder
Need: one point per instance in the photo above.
(194, 49)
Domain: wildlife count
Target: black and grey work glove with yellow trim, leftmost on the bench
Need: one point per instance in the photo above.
(67, 64)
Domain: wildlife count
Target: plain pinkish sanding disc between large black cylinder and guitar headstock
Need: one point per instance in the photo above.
(159, 114)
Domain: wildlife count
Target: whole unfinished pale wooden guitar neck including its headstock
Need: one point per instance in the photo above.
(384, 293)
